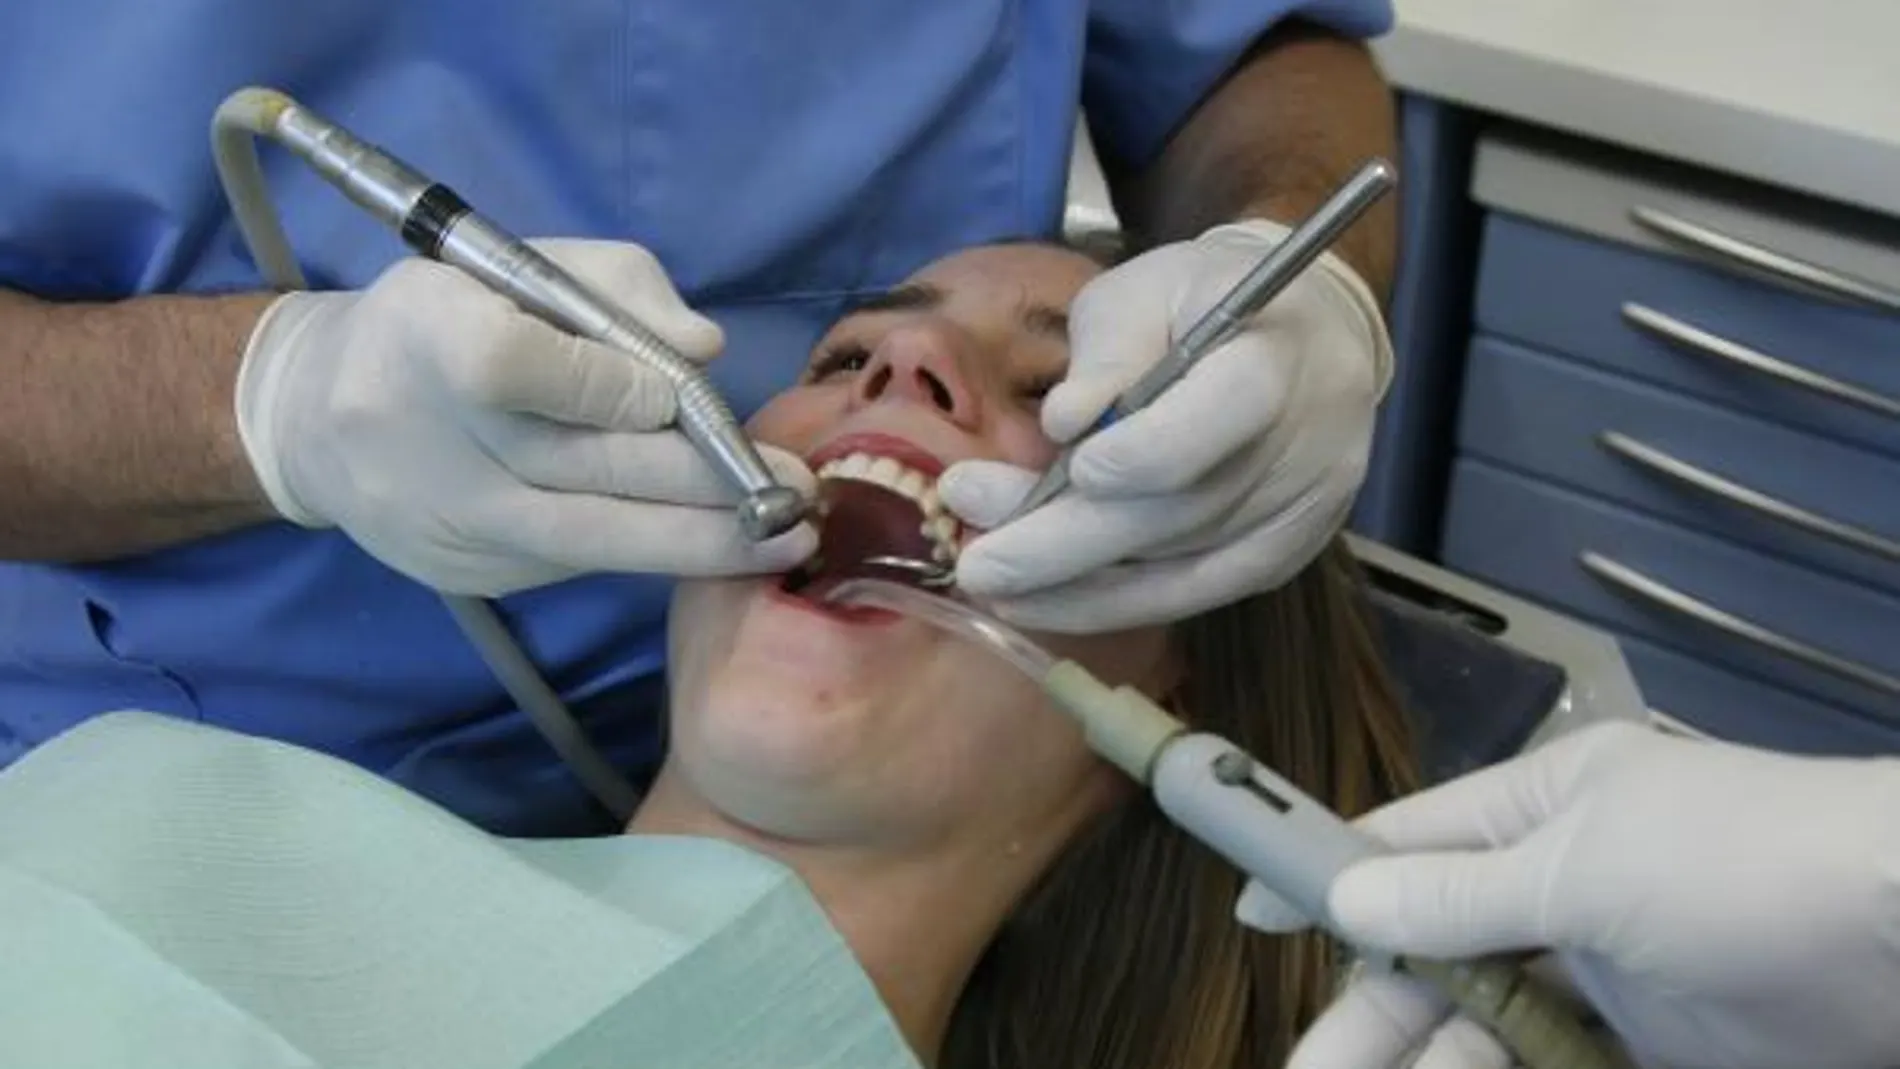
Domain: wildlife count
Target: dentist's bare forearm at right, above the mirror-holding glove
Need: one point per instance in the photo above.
(1297, 117)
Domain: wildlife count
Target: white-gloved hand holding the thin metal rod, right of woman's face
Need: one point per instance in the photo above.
(1226, 485)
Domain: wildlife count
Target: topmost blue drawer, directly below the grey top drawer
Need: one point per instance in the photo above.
(1741, 345)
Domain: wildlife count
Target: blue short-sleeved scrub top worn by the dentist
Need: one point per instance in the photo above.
(778, 159)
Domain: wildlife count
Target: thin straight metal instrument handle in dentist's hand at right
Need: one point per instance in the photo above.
(1261, 286)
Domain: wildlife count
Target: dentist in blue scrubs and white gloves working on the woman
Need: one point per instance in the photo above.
(237, 506)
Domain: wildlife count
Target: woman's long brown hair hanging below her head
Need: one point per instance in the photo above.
(1126, 956)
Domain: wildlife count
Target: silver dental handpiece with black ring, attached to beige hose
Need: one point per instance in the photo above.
(440, 225)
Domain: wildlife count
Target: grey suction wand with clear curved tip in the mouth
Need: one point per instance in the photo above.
(1255, 819)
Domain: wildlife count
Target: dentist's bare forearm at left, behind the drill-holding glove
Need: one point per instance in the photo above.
(117, 424)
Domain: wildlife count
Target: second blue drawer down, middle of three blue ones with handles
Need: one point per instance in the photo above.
(1787, 493)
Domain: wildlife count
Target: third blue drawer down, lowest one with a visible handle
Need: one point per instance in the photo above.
(1641, 576)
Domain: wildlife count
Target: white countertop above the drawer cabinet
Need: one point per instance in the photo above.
(1800, 94)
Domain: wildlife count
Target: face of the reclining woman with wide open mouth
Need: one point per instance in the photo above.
(812, 724)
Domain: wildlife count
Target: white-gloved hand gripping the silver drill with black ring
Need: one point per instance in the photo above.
(482, 451)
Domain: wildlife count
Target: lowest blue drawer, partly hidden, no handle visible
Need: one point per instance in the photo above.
(1749, 711)
